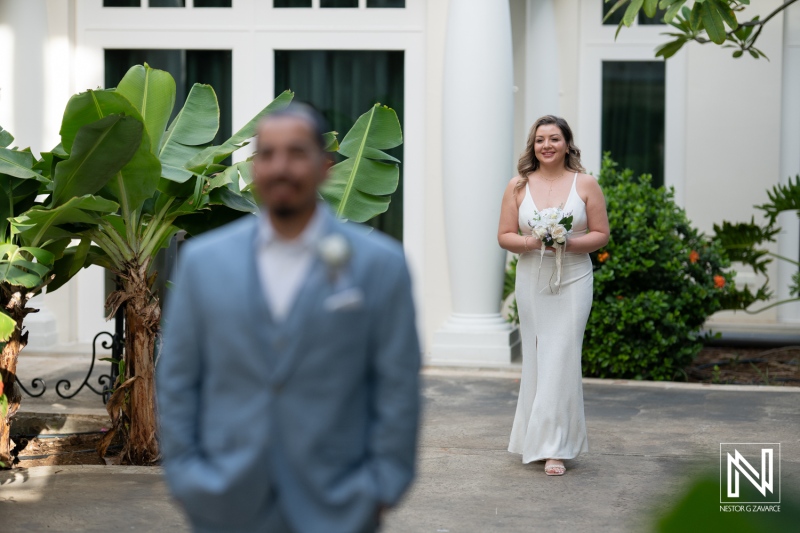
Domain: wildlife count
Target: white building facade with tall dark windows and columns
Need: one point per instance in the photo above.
(467, 78)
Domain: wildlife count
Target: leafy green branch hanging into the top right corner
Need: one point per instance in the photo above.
(707, 21)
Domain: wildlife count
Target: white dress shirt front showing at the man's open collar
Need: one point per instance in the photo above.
(283, 264)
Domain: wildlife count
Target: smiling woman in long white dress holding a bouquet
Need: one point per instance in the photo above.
(549, 422)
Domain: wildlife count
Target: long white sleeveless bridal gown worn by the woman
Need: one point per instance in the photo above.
(549, 422)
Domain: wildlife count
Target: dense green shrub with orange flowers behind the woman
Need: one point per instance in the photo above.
(655, 284)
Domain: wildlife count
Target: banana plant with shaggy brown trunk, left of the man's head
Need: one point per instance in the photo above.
(155, 193)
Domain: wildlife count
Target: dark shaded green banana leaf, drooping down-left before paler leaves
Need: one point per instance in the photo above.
(100, 150)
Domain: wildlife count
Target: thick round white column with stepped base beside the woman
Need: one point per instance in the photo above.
(478, 162)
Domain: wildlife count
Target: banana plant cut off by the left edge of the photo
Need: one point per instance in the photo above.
(28, 251)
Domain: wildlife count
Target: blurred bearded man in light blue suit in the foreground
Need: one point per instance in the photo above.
(288, 383)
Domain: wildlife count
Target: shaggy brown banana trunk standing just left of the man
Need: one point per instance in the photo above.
(142, 315)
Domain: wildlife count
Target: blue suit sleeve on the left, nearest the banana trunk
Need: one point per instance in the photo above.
(179, 374)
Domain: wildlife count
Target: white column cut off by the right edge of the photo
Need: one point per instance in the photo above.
(789, 239)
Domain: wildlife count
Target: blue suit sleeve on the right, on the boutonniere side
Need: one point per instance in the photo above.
(395, 371)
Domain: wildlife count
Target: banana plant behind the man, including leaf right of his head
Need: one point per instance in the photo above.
(167, 177)
